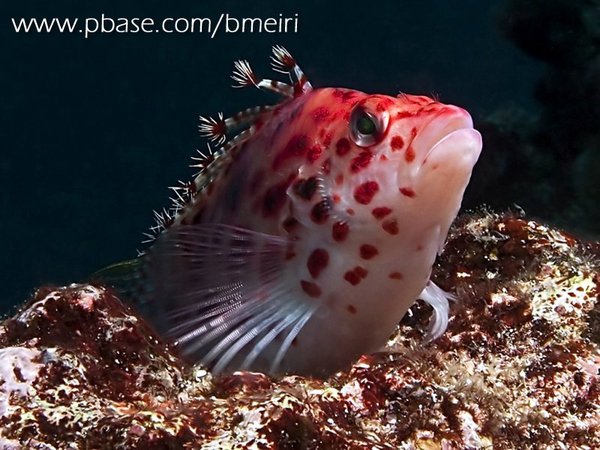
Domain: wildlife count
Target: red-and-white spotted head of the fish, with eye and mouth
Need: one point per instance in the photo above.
(390, 165)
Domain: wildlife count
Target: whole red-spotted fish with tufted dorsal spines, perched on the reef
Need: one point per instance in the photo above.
(310, 229)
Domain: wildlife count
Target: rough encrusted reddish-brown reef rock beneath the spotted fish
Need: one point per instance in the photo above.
(518, 367)
